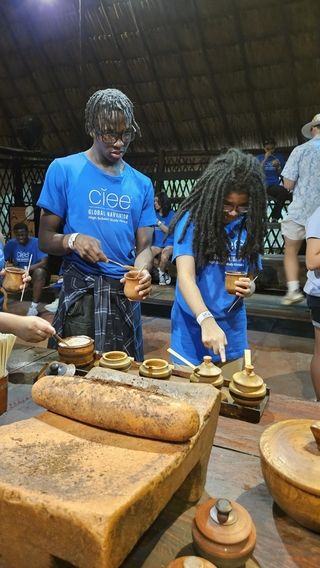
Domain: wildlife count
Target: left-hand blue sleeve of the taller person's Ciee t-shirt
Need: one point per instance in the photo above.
(53, 194)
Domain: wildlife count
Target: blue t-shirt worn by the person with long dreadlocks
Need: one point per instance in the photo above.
(185, 332)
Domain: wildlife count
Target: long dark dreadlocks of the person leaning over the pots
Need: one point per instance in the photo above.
(231, 172)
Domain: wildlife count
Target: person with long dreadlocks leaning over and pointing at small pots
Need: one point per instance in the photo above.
(219, 227)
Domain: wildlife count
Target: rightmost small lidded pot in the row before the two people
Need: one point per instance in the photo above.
(247, 388)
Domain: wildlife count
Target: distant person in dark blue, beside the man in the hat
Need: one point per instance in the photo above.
(272, 163)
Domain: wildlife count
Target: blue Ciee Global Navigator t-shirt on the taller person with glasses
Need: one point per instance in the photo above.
(92, 202)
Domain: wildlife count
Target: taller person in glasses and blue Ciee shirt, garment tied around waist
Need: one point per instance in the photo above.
(96, 207)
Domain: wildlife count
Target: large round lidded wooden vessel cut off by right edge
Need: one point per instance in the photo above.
(290, 462)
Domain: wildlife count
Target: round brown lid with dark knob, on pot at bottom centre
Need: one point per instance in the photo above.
(223, 521)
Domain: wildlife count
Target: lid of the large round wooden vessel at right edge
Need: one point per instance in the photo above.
(290, 448)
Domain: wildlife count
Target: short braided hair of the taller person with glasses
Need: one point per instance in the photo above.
(101, 106)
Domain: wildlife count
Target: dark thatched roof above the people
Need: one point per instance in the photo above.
(203, 74)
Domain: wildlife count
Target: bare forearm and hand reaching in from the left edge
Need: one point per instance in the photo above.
(32, 328)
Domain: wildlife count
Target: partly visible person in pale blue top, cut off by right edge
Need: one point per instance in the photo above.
(312, 290)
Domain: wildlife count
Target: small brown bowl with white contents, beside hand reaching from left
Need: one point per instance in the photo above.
(80, 350)
